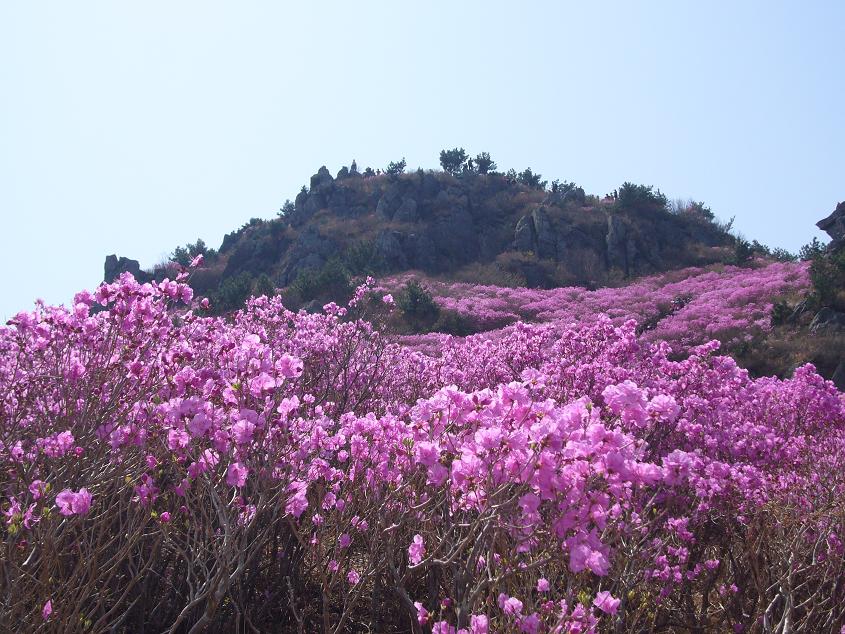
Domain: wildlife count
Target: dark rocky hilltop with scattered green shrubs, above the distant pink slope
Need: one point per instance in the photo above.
(504, 229)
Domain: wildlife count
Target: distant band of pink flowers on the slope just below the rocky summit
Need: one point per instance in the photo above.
(686, 307)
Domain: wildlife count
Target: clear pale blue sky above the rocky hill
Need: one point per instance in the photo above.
(135, 127)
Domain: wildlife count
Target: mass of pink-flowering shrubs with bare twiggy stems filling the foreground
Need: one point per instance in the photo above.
(279, 471)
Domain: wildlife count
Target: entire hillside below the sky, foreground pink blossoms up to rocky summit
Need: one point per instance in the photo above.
(584, 460)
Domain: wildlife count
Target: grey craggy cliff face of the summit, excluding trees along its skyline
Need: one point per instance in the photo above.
(438, 223)
